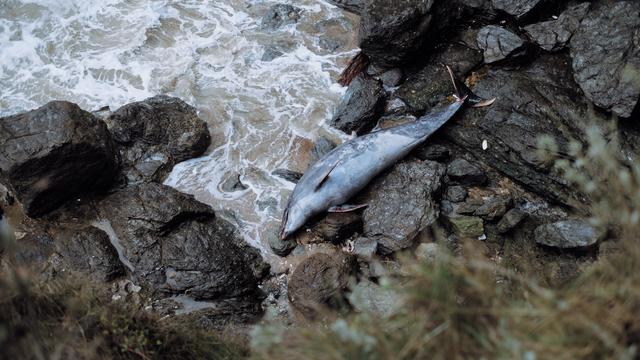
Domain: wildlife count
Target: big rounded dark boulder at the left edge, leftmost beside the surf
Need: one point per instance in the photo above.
(55, 153)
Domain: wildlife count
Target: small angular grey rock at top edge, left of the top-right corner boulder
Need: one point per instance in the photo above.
(554, 35)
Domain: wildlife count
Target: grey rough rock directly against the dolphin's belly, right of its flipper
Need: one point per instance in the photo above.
(401, 204)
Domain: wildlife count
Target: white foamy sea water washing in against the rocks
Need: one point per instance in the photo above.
(208, 53)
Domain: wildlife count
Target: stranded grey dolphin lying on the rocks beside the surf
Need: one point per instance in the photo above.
(333, 180)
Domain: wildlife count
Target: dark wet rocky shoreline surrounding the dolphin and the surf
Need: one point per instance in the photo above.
(84, 190)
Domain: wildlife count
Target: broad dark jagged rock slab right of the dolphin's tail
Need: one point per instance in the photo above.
(541, 98)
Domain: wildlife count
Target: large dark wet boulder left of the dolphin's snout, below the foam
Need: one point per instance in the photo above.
(176, 245)
